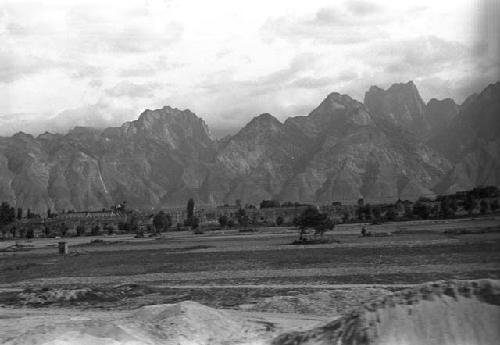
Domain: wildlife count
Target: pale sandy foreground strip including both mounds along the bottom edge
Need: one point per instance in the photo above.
(451, 312)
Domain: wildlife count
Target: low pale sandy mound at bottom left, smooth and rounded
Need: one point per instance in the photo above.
(186, 323)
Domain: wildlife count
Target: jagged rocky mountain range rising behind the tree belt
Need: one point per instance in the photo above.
(391, 146)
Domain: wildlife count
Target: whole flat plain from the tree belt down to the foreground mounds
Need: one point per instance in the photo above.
(251, 272)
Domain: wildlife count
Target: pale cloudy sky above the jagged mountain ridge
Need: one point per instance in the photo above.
(101, 63)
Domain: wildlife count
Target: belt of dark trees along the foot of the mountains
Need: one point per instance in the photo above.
(120, 219)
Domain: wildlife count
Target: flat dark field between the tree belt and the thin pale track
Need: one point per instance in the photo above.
(266, 257)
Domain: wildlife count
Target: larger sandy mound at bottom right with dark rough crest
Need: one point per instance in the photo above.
(462, 312)
